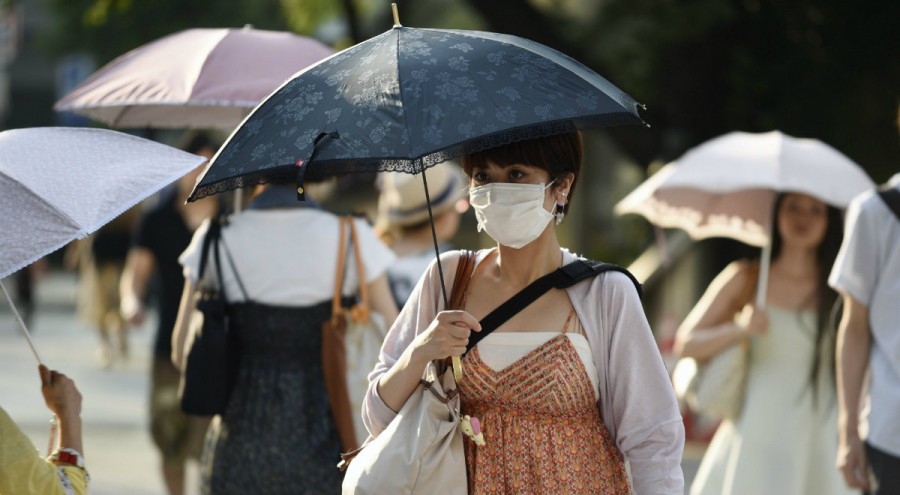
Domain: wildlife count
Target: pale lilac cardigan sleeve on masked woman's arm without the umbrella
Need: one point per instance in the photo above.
(637, 402)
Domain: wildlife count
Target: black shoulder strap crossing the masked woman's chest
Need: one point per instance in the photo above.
(561, 278)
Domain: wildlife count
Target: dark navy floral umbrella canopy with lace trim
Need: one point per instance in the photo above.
(410, 98)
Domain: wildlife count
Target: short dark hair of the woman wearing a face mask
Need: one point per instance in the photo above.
(557, 154)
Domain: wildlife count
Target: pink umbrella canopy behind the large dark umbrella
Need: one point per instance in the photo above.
(200, 78)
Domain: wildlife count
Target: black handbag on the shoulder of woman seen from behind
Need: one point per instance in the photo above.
(212, 352)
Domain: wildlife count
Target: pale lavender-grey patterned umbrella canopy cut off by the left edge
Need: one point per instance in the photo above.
(58, 184)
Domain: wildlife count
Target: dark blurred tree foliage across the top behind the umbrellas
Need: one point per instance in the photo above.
(820, 68)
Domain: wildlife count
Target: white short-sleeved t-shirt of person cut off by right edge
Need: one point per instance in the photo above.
(868, 268)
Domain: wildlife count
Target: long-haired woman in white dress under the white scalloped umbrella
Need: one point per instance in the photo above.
(785, 439)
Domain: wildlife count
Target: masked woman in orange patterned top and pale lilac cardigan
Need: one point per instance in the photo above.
(569, 388)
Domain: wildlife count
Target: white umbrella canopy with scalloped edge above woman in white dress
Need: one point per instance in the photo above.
(725, 187)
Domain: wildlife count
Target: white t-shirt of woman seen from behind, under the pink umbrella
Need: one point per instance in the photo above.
(287, 256)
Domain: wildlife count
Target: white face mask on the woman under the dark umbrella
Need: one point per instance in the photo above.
(512, 214)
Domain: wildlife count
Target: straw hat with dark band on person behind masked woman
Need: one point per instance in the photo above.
(402, 199)
